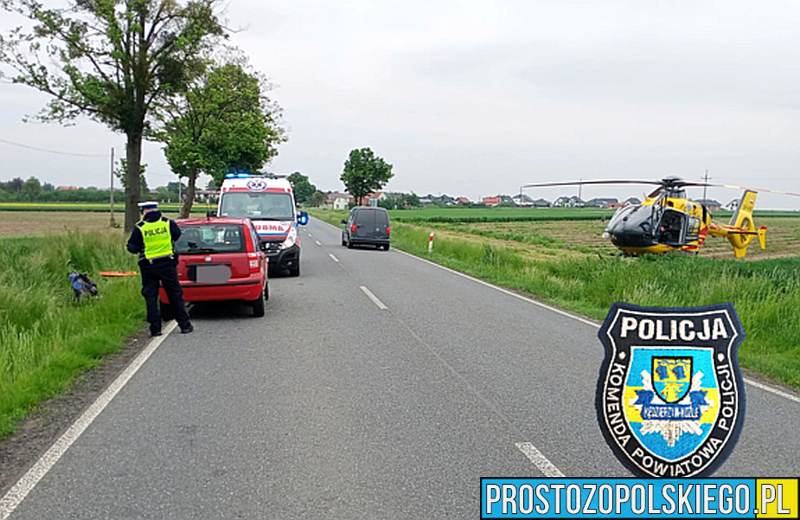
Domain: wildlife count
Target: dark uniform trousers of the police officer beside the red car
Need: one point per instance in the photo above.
(164, 272)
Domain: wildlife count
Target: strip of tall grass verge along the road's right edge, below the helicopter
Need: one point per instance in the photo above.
(765, 293)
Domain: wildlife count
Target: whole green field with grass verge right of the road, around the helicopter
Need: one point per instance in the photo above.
(555, 262)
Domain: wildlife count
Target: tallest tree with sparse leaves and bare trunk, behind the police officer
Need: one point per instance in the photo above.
(115, 61)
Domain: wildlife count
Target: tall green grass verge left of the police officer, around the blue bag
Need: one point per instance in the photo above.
(46, 338)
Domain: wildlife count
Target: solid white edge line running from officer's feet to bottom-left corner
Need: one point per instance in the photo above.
(24, 485)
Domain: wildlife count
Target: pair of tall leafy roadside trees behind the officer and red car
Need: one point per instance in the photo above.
(151, 69)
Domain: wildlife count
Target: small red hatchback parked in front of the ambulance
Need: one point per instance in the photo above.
(220, 259)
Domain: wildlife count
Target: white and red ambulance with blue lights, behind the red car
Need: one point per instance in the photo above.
(268, 202)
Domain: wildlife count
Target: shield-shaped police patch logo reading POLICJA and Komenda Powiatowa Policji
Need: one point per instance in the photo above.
(670, 397)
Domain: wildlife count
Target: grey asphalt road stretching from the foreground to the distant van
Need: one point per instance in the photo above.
(334, 407)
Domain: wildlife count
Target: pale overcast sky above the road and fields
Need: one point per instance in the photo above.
(477, 98)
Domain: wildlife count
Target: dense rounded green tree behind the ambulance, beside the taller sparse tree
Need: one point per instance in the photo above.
(222, 123)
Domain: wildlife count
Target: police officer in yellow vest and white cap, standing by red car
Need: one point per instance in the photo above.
(152, 239)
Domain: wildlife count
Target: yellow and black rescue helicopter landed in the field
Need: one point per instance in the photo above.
(668, 221)
